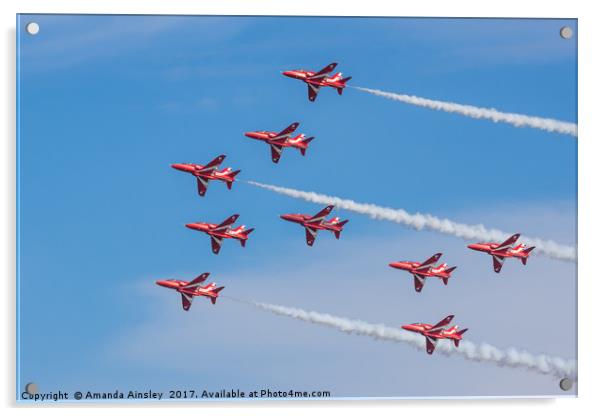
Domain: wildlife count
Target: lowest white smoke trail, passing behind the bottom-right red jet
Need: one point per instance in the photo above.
(511, 357)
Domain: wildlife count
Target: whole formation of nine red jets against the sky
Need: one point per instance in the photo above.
(288, 138)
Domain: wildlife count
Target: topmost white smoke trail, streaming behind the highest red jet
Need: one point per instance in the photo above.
(517, 120)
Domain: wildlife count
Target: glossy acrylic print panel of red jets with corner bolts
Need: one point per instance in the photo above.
(353, 150)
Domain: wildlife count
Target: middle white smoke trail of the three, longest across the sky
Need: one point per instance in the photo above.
(425, 221)
